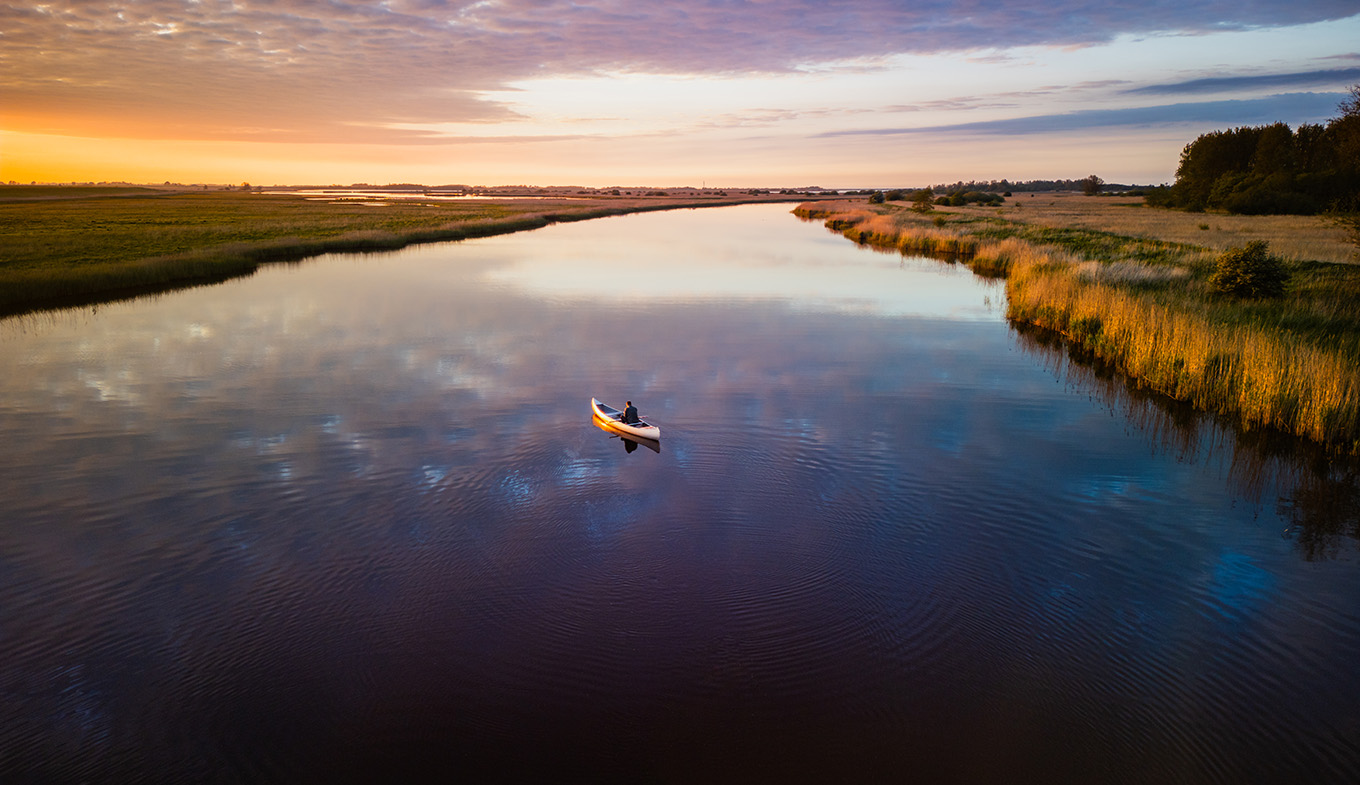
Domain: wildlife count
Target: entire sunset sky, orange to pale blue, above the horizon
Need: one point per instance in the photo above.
(599, 93)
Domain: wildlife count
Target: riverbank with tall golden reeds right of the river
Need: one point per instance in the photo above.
(1144, 305)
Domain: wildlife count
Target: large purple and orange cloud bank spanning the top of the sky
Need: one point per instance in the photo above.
(305, 70)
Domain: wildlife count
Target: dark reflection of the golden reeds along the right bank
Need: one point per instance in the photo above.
(1316, 492)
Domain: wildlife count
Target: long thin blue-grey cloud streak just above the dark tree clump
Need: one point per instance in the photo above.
(1290, 108)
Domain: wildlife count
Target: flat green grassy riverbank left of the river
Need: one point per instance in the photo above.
(114, 244)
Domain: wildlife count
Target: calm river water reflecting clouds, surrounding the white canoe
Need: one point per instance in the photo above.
(350, 520)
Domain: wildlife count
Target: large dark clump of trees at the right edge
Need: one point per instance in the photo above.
(1271, 169)
